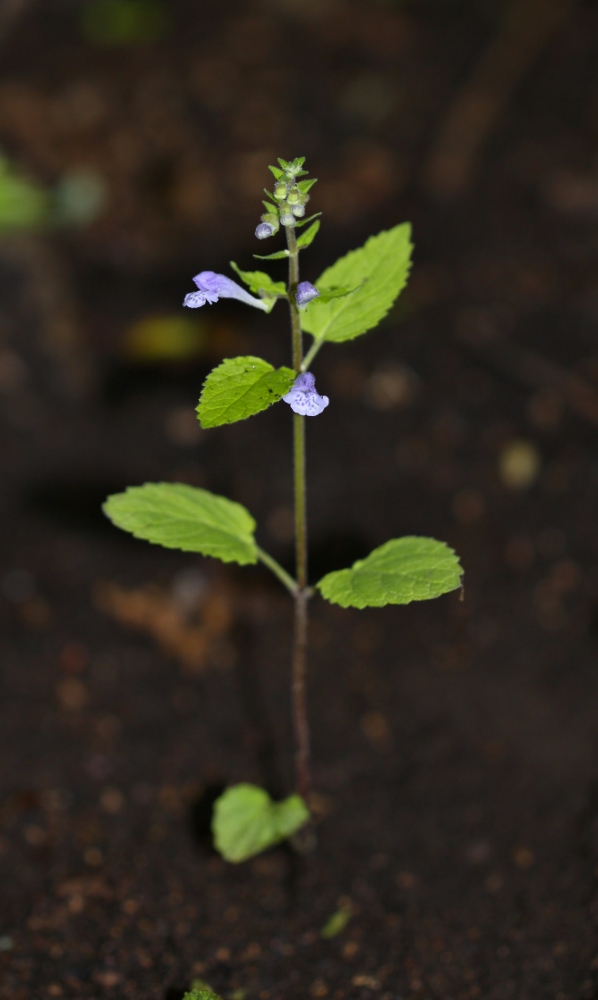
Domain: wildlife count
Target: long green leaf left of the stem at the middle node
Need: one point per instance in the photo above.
(183, 517)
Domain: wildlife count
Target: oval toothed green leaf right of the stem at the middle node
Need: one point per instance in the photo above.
(400, 571)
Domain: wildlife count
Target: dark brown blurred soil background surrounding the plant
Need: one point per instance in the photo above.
(135, 137)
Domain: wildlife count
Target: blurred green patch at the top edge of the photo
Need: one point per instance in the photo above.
(124, 22)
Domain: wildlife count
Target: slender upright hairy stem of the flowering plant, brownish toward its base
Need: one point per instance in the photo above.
(301, 594)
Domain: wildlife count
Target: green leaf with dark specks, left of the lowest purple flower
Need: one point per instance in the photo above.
(240, 387)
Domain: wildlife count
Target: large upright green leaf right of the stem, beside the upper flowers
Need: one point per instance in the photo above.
(380, 268)
